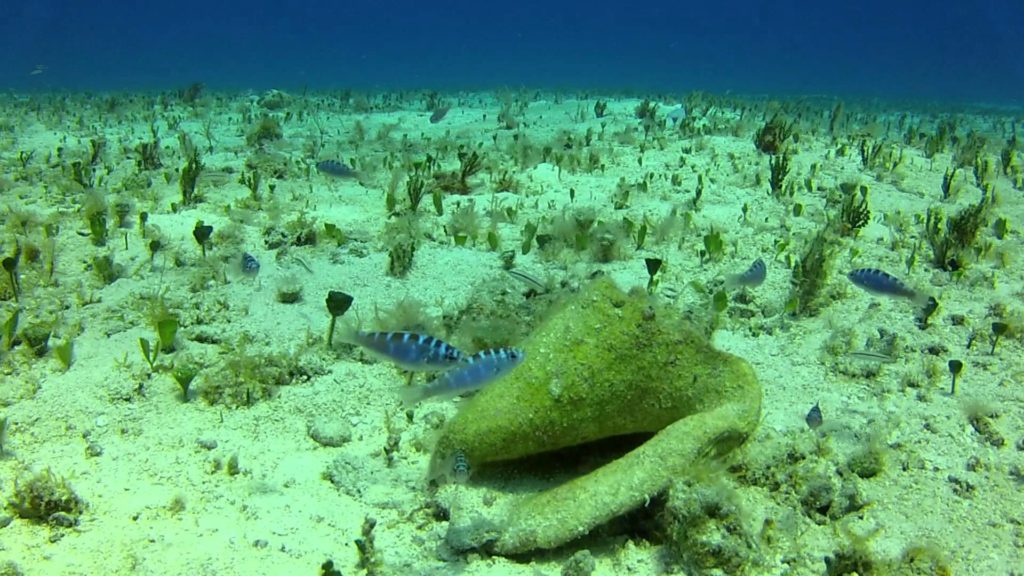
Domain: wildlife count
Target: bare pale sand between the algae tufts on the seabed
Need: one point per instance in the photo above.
(281, 516)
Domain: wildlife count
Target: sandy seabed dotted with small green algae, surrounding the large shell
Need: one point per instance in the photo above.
(285, 447)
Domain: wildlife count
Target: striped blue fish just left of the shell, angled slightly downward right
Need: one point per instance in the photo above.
(410, 351)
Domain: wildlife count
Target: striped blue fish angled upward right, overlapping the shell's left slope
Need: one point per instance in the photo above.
(472, 375)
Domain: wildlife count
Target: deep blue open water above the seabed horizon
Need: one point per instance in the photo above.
(964, 52)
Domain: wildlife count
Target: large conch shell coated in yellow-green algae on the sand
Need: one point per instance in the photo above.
(604, 366)
